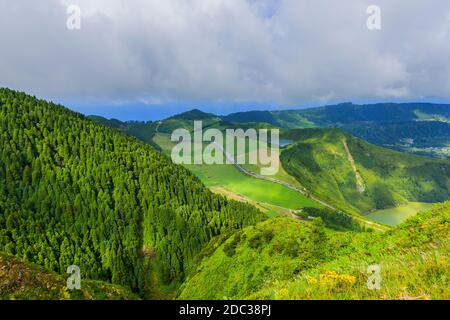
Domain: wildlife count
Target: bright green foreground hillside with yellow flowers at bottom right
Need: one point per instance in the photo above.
(286, 259)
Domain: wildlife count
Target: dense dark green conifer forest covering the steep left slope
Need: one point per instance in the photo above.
(73, 192)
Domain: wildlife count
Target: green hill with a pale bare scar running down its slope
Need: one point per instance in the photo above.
(357, 176)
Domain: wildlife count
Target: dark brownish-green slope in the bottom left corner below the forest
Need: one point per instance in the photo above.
(24, 281)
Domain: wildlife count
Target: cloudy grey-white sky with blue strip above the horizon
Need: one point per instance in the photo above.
(147, 59)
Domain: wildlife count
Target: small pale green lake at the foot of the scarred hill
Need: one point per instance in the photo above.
(395, 216)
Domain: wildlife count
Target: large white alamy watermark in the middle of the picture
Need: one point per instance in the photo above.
(234, 147)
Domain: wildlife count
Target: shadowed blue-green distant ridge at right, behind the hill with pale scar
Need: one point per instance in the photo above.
(419, 128)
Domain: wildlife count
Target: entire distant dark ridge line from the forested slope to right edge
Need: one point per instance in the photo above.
(420, 128)
